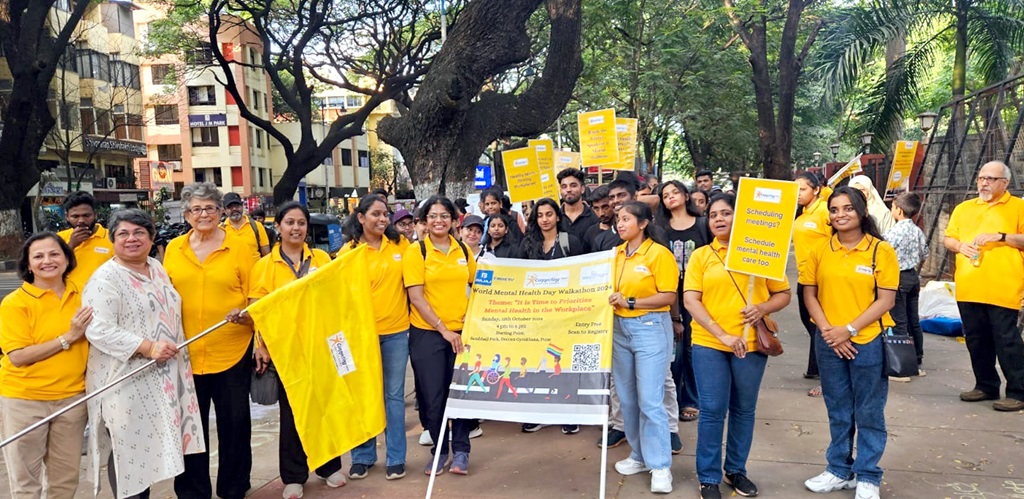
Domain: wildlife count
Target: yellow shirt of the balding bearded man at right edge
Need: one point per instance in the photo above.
(1000, 279)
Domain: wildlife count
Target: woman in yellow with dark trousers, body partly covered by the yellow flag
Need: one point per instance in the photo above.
(290, 261)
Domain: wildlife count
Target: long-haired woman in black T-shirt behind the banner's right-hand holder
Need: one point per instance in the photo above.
(685, 232)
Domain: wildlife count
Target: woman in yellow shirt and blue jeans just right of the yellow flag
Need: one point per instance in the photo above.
(386, 247)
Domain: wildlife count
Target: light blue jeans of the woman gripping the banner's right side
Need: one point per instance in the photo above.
(641, 357)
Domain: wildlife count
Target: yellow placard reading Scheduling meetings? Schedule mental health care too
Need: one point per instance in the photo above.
(762, 228)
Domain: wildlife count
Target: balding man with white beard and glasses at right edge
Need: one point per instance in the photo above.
(988, 235)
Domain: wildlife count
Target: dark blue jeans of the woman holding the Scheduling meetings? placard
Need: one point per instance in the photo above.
(727, 385)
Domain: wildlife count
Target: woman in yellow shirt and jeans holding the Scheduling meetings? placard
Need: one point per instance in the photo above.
(728, 368)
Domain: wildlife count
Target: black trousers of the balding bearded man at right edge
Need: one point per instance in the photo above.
(992, 335)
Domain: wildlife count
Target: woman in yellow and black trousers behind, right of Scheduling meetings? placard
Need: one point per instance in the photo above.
(810, 230)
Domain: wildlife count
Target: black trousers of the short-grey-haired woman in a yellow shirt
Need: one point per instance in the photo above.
(229, 393)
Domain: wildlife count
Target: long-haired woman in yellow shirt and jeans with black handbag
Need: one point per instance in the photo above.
(850, 284)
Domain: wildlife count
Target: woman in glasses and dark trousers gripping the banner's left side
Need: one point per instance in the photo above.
(438, 273)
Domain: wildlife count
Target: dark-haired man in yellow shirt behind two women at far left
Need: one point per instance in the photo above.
(87, 237)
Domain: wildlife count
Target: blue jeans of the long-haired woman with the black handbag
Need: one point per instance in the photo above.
(856, 394)
